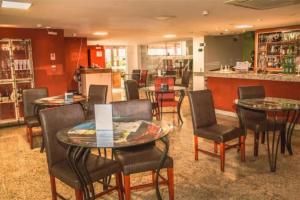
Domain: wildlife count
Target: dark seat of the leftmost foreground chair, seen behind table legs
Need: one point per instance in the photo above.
(98, 168)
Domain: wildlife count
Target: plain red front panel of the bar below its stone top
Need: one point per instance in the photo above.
(225, 90)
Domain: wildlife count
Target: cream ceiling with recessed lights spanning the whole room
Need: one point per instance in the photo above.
(134, 20)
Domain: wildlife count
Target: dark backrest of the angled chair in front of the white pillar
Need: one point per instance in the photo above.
(202, 108)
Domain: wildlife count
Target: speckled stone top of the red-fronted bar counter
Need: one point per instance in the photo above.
(253, 76)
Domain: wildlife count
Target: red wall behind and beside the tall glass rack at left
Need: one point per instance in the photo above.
(42, 45)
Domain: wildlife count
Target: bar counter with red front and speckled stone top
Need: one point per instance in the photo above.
(224, 87)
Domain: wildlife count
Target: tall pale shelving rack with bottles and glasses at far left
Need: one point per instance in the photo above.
(16, 74)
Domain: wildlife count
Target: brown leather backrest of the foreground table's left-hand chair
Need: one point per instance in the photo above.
(54, 120)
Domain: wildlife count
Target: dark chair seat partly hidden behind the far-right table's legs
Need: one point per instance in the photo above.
(264, 125)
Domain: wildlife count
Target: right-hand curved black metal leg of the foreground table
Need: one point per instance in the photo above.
(165, 140)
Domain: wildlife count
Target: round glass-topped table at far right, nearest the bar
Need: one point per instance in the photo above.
(281, 111)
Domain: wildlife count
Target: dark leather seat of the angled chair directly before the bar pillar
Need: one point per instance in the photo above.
(219, 133)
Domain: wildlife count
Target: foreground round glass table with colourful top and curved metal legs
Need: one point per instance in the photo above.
(82, 137)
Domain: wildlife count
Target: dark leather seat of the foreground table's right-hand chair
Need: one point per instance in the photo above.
(141, 159)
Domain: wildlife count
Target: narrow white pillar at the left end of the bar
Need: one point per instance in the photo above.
(198, 63)
